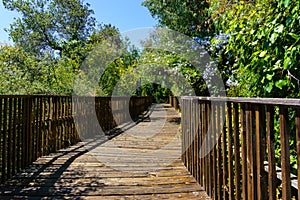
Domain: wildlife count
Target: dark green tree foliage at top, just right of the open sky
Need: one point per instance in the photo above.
(189, 17)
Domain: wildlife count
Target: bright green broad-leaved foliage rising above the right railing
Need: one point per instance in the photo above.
(264, 42)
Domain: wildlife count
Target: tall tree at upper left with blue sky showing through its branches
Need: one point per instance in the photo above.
(55, 27)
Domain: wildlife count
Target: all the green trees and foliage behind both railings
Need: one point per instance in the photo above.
(255, 45)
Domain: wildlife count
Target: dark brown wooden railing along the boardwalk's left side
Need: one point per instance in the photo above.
(34, 126)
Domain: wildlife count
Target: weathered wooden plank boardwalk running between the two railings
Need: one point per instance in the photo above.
(143, 162)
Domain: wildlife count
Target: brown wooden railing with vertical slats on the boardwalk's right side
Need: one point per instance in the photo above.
(248, 143)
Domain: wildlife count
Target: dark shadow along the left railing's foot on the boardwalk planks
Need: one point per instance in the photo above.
(21, 184)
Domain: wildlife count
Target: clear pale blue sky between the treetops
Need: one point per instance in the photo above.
(124, 14)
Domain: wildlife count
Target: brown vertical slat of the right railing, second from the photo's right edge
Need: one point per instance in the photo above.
(285, 153)
